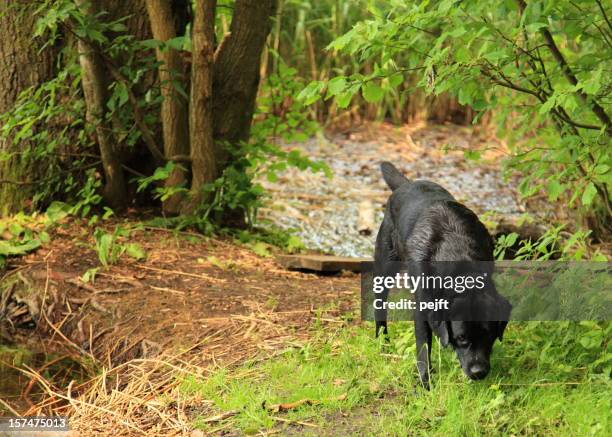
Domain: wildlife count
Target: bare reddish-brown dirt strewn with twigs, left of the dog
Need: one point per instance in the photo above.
(188, 287)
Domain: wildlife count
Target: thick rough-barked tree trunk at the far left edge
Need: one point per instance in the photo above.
(22, 65)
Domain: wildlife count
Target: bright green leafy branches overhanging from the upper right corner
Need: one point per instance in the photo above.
(539, 66)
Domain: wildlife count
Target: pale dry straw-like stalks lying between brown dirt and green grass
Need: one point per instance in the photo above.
(142, 397)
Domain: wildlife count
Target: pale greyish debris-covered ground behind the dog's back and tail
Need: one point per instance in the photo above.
(325, 212)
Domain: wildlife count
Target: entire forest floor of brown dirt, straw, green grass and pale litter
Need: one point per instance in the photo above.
(206, 337)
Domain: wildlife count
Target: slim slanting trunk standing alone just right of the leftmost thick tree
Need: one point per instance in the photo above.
(95, 89)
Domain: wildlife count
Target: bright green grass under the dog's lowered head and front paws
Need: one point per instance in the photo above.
(543, 381)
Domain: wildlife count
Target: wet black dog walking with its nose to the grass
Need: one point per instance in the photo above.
(424, 224)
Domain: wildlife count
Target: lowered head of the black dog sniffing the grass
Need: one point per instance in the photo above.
(473, 340)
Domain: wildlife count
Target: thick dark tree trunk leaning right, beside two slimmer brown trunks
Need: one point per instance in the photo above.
(236, 73)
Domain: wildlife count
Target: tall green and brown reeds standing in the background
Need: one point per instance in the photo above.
(302, 30)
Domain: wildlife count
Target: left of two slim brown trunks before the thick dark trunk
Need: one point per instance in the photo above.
(174, 115)
